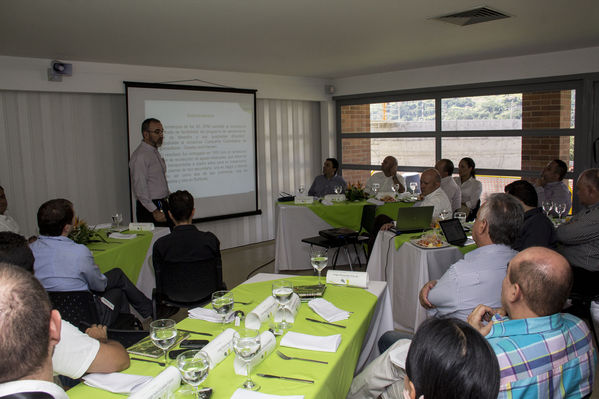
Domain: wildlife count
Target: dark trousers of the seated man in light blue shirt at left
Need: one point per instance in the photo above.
(121, 292)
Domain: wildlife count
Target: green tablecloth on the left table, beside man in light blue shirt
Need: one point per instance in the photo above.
(129, 255)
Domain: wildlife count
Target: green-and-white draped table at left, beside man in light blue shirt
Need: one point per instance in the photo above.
(133, 256)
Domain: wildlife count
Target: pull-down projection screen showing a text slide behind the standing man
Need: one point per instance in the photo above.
(209, 143)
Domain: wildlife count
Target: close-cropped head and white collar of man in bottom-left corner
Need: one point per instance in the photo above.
(29, 331)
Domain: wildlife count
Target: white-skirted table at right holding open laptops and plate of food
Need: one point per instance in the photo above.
(406, 268)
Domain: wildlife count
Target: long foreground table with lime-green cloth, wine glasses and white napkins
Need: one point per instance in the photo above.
(370, 318)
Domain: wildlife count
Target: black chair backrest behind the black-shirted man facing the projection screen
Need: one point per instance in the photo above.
(186, 284)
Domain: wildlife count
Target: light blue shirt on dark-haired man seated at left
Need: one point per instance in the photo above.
(62, 265)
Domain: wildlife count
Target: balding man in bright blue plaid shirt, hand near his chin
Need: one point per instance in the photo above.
(542, 353)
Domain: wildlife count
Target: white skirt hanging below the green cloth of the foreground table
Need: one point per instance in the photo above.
(382, 319)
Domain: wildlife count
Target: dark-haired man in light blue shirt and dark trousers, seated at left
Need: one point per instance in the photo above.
(63, 265)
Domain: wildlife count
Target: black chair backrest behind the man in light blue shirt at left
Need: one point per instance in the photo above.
(76, 307)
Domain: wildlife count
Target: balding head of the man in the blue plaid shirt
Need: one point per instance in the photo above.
(544, 277)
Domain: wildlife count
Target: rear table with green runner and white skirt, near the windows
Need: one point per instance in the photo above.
(296, 222)
